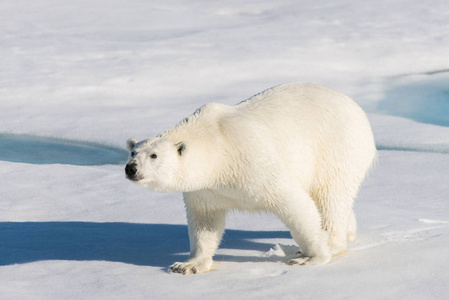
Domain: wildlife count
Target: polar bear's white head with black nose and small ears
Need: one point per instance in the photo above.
(156, 163)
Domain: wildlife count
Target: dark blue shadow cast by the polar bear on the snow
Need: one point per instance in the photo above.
(156, 245)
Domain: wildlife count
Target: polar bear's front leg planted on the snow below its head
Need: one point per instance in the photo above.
(206, 227)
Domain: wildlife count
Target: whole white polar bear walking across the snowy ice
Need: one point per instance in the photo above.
(298, 150)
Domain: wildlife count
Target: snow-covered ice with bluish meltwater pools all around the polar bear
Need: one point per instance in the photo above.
(91, 74)
